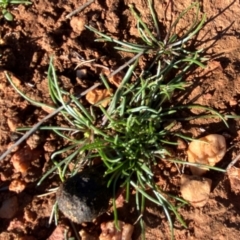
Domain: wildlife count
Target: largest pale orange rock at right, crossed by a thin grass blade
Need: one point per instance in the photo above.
(207, 150)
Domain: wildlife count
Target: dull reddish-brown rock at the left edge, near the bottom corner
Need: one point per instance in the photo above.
(9, 208)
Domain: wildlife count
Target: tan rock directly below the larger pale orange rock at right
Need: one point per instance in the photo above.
(195, 189)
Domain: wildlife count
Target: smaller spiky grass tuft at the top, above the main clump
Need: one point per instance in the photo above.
(168, 52)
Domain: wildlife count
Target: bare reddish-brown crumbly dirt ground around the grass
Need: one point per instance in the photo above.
(40, 31)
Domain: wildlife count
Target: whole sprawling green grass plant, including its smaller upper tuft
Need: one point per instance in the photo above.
(134, 132)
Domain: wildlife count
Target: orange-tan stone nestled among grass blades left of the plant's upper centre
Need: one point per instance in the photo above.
(101, 96)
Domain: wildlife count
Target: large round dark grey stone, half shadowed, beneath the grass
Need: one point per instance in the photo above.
(84, 196)
